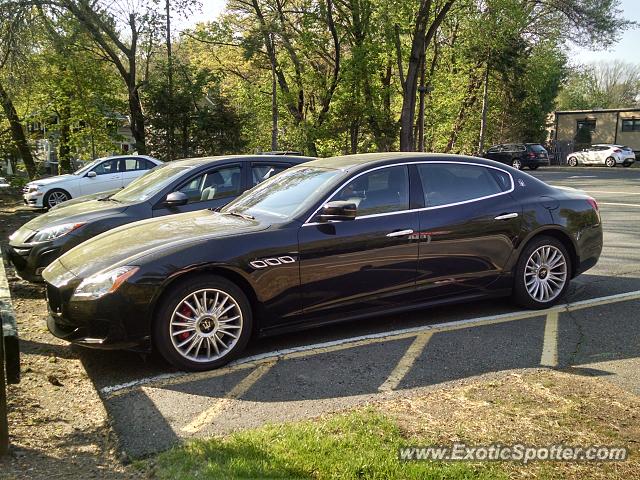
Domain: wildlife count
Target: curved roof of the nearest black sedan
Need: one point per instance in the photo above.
(368, 160)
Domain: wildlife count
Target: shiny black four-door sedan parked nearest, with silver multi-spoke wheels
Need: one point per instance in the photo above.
(330, 240)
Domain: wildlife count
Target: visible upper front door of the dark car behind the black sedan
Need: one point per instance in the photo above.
(212, 188)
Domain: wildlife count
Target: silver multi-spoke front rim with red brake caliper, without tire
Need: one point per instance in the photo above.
(206, 325)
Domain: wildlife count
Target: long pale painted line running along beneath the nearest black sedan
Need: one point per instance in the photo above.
(345, 343)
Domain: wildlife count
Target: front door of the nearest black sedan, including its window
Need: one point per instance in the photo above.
(364, 264)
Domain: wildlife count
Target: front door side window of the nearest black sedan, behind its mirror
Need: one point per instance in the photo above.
(380, 191)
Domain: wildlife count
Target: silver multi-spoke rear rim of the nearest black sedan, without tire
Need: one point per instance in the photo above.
(545, 273)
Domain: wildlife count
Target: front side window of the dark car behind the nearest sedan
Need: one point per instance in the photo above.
(216, 183)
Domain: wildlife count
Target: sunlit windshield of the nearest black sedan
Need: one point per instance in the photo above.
(285, 195)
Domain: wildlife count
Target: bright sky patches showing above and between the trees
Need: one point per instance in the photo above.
(627, 49)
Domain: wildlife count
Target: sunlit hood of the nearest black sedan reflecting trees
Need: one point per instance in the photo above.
(127, 244)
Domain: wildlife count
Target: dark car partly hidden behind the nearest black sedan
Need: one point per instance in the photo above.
(174, 187)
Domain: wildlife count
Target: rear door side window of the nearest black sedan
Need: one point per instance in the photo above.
(446, 183)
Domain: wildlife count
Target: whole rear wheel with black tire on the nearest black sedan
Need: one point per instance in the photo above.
(526, 275)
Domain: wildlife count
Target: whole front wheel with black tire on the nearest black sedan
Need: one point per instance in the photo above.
(176, 338)
